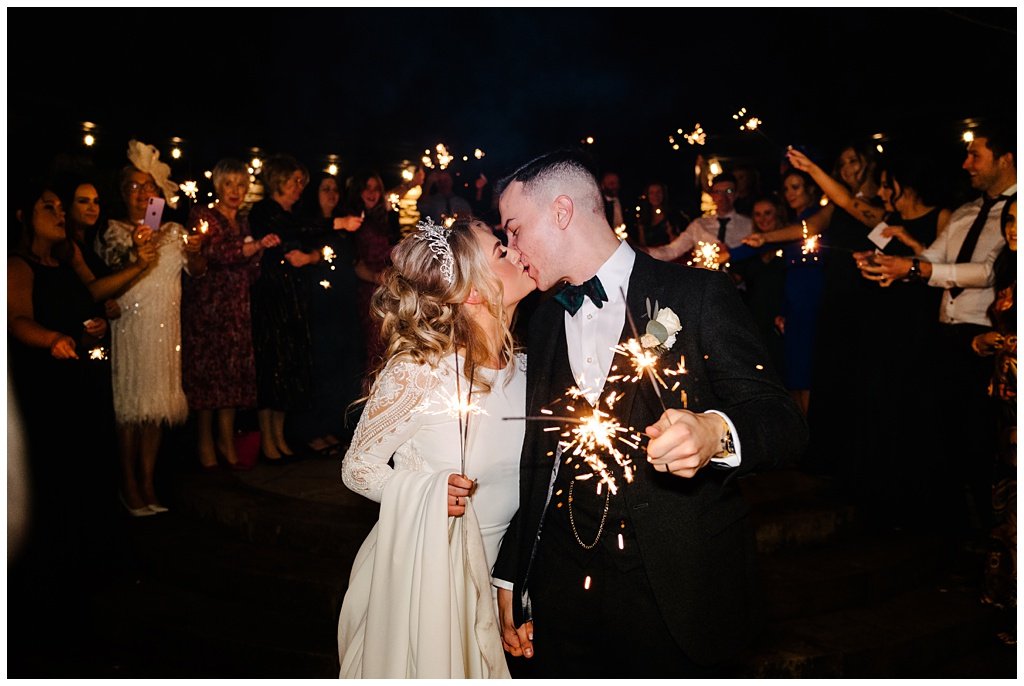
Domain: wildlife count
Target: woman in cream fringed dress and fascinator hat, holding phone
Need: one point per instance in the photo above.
(147, 338)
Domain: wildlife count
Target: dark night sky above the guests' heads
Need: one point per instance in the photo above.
(378, 87)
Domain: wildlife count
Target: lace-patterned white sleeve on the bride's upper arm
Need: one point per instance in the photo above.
(392, 416)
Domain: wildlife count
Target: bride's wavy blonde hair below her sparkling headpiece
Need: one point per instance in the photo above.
(424, 317)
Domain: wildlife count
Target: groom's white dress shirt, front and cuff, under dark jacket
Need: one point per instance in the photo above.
(593, 332)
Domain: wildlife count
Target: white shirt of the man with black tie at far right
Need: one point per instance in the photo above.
(971, 307)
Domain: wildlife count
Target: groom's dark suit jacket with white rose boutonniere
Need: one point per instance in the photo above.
(695, 539)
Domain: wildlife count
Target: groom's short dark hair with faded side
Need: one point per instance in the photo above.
(564, 171)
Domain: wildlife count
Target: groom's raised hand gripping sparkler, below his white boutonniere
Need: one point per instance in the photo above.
(682, 443)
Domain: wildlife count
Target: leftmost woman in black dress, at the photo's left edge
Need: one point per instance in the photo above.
(53, 324)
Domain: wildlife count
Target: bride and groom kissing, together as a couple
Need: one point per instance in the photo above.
(489, 544)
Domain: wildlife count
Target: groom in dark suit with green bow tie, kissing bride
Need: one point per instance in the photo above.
(657, 581)
